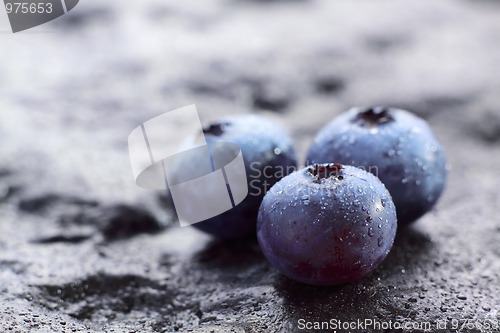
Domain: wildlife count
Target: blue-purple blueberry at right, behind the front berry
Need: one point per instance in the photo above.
(394, 145)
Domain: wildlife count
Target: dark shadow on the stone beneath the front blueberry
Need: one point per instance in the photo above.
(372, 297)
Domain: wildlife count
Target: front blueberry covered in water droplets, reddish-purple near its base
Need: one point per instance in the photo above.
(322, 230)
